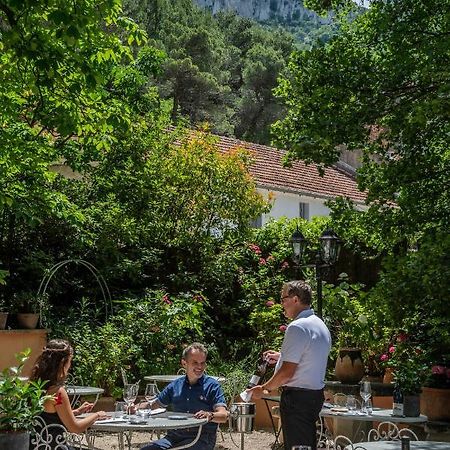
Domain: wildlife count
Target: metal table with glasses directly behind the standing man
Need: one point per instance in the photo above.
(378, 415)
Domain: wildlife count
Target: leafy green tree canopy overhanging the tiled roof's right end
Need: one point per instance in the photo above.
(380, 85)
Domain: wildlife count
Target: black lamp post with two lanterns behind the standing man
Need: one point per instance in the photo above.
(326, 256)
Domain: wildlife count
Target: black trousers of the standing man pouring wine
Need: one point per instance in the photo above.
(299, 411)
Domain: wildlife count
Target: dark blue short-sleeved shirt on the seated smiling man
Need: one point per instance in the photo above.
(204, 395)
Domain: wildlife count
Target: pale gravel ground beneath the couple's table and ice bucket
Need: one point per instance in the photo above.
(257, 440)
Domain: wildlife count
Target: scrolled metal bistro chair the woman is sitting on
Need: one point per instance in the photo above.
(53, 437)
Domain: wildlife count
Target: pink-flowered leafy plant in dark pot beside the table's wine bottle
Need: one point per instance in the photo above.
(410, 369)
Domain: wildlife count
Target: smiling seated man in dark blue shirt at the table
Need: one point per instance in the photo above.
(195, 393)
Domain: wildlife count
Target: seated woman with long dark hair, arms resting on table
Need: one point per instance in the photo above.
(53, 366)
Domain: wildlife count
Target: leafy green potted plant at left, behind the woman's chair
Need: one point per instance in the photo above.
(20, 403)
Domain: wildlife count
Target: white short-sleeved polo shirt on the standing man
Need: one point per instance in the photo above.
(307, 342)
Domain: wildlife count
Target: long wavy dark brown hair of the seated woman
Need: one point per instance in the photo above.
(48, 367)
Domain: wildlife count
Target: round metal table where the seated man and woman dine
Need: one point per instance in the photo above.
(161, 422)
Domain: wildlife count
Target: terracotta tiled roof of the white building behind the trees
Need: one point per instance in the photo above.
(268, 170)
